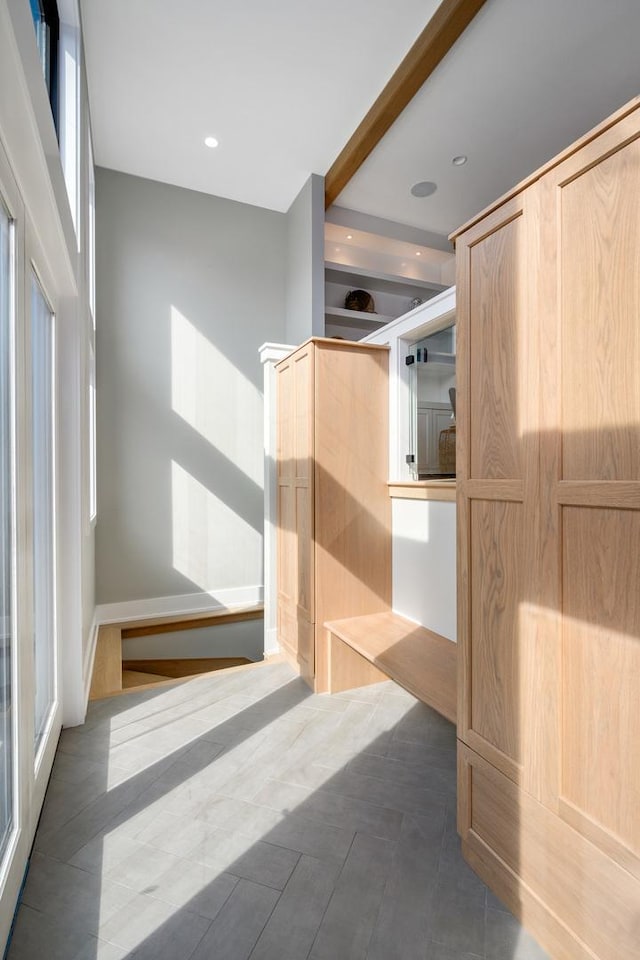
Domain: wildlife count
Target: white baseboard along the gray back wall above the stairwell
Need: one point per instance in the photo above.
(176, 606)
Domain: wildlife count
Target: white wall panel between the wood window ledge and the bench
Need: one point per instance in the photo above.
(424, 563)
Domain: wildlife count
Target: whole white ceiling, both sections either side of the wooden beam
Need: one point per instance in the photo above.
(283, 85)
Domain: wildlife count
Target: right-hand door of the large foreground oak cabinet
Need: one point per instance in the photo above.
(589, 316)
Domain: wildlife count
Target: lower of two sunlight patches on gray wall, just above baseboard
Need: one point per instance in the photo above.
(207, 533)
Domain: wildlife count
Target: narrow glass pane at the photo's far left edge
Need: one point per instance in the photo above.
(6, 527)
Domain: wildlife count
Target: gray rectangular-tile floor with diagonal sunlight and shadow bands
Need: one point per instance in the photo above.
(240, 817)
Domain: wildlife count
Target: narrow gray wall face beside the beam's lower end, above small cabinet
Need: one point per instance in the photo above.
(305, 263)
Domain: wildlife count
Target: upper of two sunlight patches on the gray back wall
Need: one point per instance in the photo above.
(215, 398)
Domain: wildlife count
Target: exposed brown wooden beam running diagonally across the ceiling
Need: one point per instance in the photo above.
(448, 22)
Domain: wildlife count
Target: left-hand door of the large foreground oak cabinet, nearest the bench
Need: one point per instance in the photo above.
(502, 672)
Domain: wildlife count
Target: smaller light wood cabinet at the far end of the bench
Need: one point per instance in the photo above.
(334, 522)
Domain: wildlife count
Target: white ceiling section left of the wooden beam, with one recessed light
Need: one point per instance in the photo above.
(281, 84)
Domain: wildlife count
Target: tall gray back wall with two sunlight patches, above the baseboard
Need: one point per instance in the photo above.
(189, 286)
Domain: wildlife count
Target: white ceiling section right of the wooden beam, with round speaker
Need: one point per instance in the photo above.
(523, 82)
